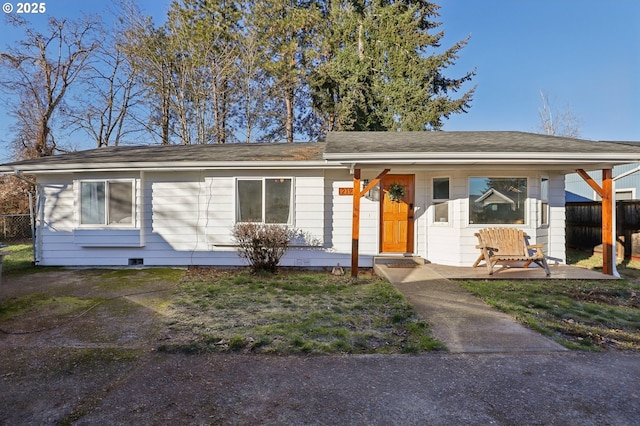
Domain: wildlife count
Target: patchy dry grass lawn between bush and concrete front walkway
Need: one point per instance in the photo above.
(293, 312)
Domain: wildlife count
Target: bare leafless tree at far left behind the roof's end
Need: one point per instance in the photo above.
(39, 71)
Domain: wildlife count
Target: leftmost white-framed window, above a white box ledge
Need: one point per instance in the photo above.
(106, 202)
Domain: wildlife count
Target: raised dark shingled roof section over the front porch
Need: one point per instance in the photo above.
(459, 142)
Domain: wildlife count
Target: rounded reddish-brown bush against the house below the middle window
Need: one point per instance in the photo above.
(262, 245)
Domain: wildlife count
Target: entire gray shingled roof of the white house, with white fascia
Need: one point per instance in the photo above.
(489, 149)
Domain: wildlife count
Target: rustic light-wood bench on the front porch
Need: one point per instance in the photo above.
(505, 245)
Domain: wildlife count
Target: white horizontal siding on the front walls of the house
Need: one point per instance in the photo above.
(186, 219)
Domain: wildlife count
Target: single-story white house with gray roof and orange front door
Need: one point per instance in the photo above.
(177, 205)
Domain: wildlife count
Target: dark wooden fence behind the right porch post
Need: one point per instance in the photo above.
(584, 225)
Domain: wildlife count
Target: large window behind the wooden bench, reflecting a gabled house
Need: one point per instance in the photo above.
(497, 200)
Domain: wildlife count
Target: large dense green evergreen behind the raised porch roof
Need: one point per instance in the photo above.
(380, 69)
